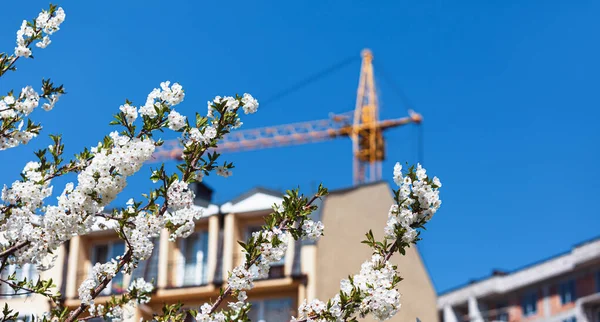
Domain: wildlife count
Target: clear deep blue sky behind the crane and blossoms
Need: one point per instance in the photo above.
(508, 91)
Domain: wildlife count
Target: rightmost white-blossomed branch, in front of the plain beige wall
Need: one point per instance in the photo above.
(373, 290)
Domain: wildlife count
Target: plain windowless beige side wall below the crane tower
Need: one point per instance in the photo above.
(347, 216)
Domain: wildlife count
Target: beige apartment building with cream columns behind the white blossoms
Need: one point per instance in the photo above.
(192, 270)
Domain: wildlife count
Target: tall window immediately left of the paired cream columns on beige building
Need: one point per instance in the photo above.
(194, 266)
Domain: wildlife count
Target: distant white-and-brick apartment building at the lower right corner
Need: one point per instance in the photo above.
(564, 288)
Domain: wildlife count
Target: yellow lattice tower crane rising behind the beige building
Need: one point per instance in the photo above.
(362, 126)
